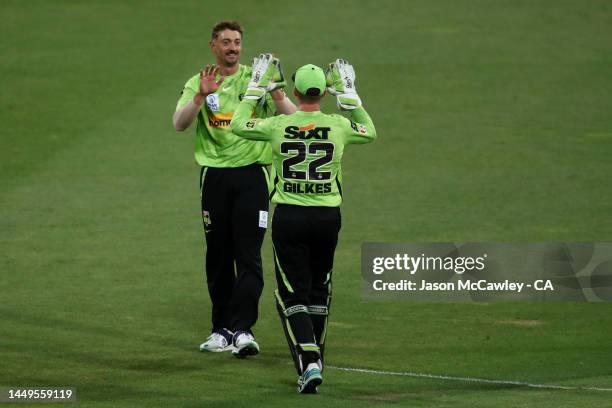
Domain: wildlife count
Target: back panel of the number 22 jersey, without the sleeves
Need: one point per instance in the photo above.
(308, 148)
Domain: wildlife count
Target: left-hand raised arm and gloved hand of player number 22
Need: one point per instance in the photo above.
(265, 68)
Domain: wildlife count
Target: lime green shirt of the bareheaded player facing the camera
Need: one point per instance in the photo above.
(215, 144)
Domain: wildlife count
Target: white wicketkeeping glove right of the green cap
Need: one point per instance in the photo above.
(340, 78)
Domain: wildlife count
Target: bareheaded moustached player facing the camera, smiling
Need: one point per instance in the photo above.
(233, 187)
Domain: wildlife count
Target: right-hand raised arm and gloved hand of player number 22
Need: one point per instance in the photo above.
(340, 78)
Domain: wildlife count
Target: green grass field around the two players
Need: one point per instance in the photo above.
(494, 122)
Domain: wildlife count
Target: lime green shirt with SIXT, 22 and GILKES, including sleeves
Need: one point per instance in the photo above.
(307, 150)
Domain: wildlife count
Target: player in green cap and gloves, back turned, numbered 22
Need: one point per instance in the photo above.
(307, 148)
